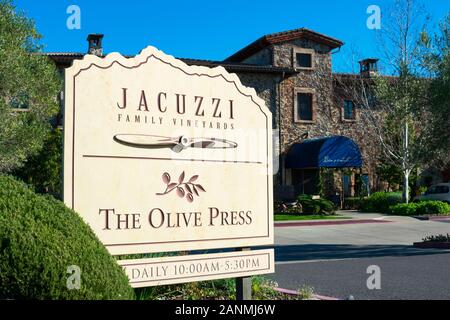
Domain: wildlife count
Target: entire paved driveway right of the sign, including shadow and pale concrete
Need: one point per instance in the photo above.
(334, 260)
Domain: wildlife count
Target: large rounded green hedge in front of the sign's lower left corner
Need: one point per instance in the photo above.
(39, 239)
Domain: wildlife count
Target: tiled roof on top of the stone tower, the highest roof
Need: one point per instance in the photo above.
(269, 39)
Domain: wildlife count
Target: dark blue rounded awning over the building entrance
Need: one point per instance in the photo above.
(329, 152)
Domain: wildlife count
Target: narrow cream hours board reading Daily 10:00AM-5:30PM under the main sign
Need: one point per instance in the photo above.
(179, 269)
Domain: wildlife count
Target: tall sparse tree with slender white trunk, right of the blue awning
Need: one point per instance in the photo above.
(395, 109)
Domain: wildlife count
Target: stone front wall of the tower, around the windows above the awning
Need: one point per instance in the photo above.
(327, 109)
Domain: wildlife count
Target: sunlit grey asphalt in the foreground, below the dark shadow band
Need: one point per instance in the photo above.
(401, 277)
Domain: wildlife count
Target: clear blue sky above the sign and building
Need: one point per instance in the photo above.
(208, 29)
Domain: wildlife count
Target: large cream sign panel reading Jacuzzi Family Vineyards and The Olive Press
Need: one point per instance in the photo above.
(161, 156)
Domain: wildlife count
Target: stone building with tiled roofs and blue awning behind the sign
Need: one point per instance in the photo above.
(292, 72)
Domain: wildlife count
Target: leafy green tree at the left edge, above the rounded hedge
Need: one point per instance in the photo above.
(29, 85)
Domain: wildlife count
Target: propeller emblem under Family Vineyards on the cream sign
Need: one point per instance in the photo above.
(176, 143)
